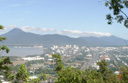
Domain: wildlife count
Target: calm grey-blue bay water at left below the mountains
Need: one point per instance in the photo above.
(22, 51)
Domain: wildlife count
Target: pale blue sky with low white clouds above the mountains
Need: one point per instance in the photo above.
(66, 17)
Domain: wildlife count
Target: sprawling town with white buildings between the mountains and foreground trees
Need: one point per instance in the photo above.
(75, 56)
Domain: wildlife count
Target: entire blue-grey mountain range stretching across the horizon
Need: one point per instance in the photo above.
(17, 36)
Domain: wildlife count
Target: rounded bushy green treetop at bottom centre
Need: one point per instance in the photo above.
(69, 75)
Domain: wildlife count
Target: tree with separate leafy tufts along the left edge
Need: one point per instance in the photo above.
(5, 62)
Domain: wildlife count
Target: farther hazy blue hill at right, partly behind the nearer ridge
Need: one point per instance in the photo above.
(106, 41)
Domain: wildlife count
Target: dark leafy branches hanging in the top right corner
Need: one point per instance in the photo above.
(118, 7)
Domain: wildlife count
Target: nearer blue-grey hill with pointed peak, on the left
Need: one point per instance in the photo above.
(17, 36)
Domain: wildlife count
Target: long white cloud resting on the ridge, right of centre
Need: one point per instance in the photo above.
(76, 33)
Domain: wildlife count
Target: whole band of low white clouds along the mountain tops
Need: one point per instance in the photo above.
(71, 33)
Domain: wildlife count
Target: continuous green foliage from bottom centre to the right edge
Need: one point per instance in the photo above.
(103, 75)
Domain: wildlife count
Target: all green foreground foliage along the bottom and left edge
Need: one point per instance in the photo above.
(65, 75)
